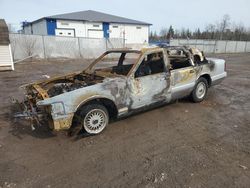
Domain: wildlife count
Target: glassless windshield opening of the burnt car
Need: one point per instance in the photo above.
(119, 63)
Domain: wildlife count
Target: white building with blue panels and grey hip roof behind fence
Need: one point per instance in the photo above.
(90, 24)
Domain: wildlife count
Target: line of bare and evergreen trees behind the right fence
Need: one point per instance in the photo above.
(223, 30)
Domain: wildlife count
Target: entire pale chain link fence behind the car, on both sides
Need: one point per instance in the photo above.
(47, 47)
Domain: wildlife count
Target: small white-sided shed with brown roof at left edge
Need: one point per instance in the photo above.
(6, 61)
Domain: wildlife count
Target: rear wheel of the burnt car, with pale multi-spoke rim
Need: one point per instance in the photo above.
(200, 90)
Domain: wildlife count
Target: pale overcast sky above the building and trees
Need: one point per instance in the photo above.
(161, 13)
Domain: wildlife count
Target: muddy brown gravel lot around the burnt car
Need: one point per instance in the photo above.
(179, 145)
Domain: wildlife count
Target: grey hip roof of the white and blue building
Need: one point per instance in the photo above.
(94, 16)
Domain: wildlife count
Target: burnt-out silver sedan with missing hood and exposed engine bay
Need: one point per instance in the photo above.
(119, 83)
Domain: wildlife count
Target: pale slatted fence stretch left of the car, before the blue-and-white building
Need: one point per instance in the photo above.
(47, 47)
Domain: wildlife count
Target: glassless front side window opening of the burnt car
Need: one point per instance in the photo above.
(151, 64)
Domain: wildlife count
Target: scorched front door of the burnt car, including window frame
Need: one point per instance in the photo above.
(150, 82)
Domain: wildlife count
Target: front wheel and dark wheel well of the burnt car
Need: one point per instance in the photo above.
(93, 118)
